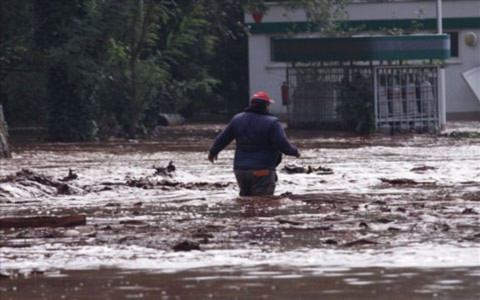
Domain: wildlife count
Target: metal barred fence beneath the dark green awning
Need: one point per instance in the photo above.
(402, 98)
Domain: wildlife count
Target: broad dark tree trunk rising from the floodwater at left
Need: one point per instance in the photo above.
(65, 40)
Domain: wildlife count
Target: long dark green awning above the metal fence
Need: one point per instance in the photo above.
(364, 48)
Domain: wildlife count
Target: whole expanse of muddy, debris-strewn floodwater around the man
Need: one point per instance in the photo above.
(356, 217)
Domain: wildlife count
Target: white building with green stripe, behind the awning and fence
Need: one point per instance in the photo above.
(461, 19)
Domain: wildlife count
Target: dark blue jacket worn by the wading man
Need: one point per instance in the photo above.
(260, 140)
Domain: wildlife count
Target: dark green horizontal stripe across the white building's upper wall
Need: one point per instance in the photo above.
(425, 24)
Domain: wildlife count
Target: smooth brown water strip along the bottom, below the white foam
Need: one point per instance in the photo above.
(253, 283)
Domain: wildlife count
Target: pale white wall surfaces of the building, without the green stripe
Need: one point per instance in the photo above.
(268, 76)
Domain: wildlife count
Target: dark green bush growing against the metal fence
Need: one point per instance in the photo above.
(356, 107)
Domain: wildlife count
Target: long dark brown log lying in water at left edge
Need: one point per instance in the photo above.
(65, 221)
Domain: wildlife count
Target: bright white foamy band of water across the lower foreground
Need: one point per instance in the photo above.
(57, 256)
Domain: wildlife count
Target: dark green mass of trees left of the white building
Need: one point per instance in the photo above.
(95, 68)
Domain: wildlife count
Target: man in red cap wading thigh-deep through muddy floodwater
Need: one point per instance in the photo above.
(260, 142)
